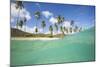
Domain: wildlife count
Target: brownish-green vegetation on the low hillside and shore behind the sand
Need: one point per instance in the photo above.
(26, 34)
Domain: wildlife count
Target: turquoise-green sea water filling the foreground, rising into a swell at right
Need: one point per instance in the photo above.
(73, 48)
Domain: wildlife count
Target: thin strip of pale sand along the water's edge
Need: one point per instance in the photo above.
(30, 38)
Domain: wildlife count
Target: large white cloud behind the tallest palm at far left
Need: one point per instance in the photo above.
(22, 13)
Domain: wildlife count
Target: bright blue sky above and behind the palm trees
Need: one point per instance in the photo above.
(84, 16)
